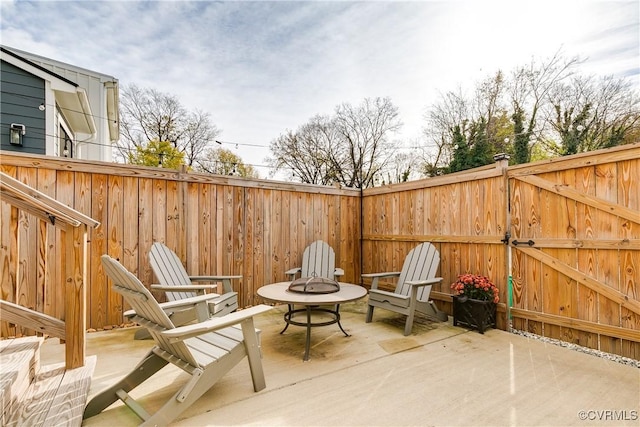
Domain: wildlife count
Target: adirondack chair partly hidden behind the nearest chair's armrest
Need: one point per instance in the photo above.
(178, 285)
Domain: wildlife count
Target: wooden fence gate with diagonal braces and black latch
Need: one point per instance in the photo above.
(575, 244)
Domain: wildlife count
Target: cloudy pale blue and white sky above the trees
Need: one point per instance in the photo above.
(261, 68)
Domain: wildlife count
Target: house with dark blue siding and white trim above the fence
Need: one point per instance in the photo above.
(51, 108)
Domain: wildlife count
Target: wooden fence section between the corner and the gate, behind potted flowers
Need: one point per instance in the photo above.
(465, 215)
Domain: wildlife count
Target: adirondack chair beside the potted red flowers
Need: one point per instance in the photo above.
(412, 288)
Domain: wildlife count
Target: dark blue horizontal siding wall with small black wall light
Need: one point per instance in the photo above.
(21, 94)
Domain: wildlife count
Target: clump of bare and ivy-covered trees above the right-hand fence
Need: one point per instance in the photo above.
(541, 107)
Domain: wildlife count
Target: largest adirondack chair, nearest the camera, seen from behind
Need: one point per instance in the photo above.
(205, 350)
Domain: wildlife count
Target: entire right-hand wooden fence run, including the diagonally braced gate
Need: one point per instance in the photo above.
(574, 247)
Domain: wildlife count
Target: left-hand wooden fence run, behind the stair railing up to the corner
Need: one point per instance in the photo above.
(216, 225)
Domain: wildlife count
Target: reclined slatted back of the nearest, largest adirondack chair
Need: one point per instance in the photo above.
(146, 307)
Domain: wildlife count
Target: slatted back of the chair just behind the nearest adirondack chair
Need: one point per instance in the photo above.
(169, 270)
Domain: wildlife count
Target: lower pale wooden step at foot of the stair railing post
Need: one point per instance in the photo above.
(56, 398)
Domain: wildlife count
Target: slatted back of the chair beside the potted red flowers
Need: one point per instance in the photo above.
(421, 263)
